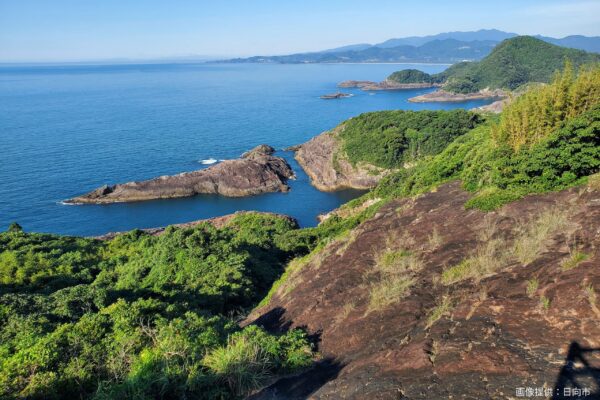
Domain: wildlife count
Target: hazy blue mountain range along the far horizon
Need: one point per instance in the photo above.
(448, 47)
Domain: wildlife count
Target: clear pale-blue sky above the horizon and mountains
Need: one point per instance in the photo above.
(81, 30)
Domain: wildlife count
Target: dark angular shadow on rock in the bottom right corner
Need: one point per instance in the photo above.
(578, 377)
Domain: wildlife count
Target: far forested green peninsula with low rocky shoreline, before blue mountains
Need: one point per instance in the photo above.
(512, 65)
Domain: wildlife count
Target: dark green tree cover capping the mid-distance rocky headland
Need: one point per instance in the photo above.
(388, 139)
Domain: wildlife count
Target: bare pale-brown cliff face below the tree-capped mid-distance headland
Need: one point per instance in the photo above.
(322, 160)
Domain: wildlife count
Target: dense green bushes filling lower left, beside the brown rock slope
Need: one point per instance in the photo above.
(142, 316)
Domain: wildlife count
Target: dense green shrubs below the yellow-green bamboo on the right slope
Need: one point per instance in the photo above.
(499, 174)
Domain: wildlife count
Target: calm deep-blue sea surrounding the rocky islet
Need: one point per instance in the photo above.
(65, 130)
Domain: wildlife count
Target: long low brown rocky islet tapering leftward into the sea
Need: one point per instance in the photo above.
(257, 171)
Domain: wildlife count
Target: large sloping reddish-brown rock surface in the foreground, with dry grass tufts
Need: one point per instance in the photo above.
(495, 337)
